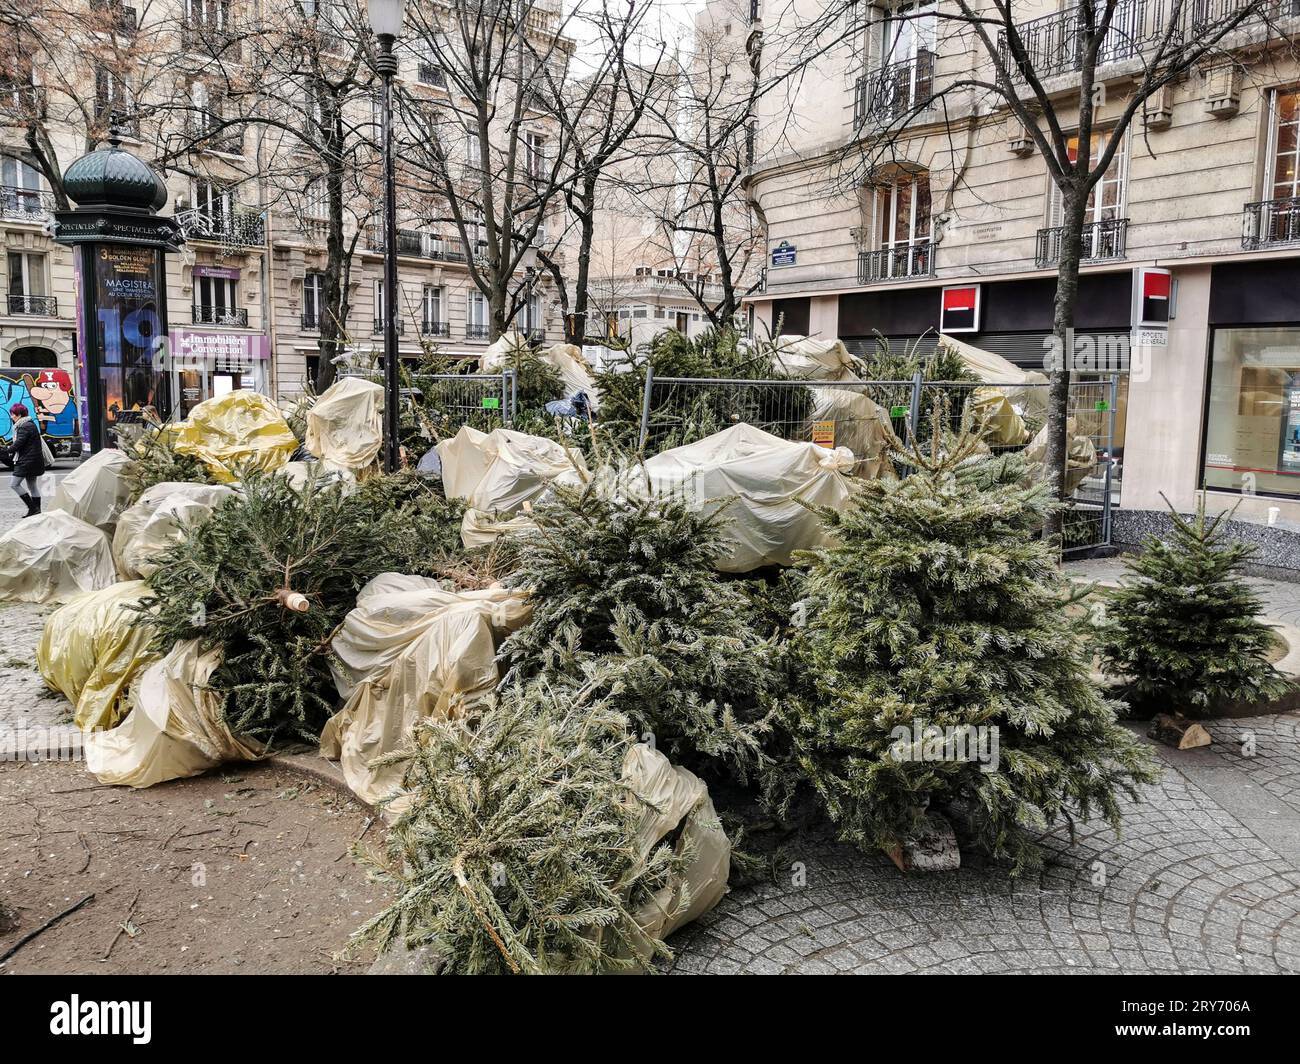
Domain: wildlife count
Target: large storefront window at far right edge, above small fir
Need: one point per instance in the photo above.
(1253, 440)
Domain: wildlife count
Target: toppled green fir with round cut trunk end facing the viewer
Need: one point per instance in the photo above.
(272, 573)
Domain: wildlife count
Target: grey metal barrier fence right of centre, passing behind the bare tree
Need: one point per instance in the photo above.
(681, 410)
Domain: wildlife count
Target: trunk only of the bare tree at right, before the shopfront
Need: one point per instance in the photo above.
(1063, 332)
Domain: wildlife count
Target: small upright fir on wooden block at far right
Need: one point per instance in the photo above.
(1186, 635)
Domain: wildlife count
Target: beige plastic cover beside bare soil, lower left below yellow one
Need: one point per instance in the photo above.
(174, 729)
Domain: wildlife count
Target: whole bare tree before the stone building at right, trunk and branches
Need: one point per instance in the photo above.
(1016, 72)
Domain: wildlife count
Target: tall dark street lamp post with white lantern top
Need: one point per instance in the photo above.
(387, 24)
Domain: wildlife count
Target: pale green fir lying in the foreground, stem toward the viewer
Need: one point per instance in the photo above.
(518, 850)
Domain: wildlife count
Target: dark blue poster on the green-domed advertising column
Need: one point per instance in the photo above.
(128, 293)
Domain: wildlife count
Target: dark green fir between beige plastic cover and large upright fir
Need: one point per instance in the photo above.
(625, 587)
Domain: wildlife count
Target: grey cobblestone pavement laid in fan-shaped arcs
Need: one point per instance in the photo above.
(1206, 877)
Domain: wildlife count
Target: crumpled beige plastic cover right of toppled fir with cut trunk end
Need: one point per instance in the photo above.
(409, 651)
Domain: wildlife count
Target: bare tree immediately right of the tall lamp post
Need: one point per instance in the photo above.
(486, 157)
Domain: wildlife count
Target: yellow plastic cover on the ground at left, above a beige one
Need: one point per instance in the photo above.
(92, 650)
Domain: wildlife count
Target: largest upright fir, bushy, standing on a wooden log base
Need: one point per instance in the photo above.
(941, 665)
